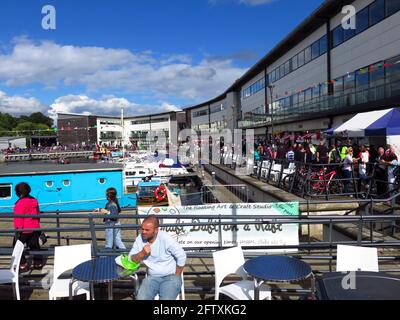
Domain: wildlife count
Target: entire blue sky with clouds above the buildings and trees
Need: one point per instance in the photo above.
(147, 56)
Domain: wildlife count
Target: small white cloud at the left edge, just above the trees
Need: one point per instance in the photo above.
(17, 105)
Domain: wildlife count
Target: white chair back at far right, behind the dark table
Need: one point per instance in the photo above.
(352, 258)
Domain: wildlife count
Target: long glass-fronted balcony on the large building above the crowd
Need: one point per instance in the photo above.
(323, 106)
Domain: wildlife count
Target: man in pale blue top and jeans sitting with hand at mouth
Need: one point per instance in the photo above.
(164, 259)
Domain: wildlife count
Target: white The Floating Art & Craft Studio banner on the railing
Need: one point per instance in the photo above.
(249, 235)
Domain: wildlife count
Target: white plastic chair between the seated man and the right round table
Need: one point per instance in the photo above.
(230, 261)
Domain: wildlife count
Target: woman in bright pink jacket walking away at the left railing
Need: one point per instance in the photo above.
(29, 206)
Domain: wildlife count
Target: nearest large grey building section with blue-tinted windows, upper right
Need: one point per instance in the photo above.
(321, 74)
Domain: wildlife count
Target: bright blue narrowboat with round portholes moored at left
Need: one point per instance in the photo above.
(69, 187)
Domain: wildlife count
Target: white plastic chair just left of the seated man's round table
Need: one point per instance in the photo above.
(67, 258)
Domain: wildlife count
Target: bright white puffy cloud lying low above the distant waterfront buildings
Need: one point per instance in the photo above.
(106, 105)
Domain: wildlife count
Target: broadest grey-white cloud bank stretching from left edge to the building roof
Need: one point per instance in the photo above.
(102, 69)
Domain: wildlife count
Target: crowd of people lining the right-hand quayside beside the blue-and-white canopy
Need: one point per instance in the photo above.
(346, 157)
